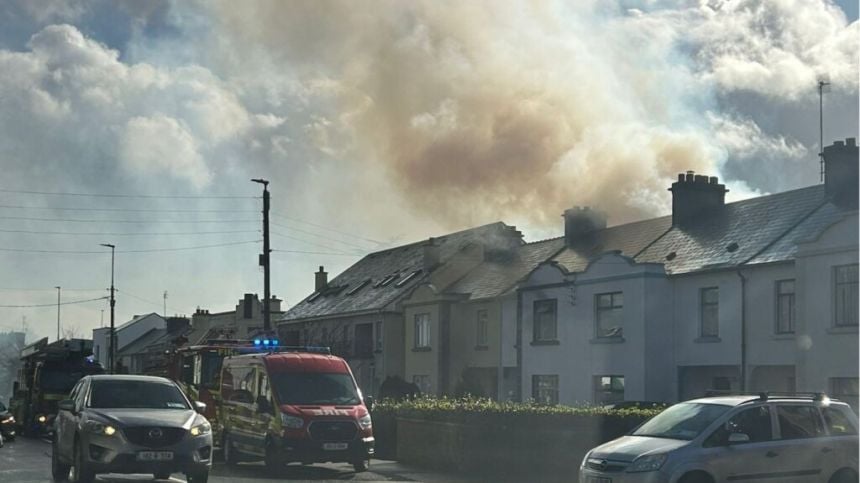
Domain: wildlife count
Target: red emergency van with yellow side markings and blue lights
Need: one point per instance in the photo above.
(293, 407)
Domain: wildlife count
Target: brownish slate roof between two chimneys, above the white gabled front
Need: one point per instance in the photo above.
(629, 239)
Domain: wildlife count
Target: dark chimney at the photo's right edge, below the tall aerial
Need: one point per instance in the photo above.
(841, 173)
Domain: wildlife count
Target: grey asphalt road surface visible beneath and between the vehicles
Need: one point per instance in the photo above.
(29, 461)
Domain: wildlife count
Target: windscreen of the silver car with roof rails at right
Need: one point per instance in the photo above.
(682, 421)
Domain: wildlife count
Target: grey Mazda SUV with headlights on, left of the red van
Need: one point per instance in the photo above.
(130, 424)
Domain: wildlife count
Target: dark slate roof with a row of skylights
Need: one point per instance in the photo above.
(376, 267)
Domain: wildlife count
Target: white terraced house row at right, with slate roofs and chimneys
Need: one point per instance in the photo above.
(759, 294)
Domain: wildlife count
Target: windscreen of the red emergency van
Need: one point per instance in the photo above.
(315, 388)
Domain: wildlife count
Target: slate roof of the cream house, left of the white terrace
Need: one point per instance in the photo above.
(496, 276)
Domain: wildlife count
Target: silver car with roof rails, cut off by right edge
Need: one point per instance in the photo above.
(734, 438)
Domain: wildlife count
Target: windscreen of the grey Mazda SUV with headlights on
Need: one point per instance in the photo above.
(136, 395)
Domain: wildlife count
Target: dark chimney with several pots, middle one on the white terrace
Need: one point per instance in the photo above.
(694, 196)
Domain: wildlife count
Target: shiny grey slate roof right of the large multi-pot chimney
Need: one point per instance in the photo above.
(756, 226)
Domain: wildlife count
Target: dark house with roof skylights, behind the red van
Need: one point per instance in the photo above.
(360, 313)
